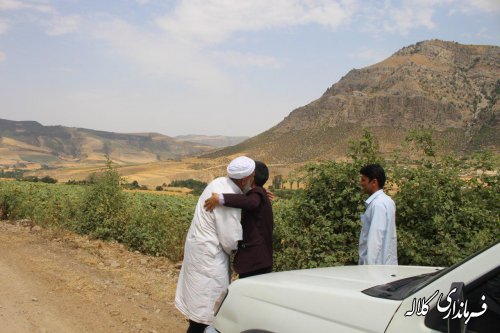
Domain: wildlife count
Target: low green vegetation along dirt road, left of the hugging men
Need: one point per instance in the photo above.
(152, 224)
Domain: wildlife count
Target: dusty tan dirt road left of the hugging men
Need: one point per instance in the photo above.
(54, 281)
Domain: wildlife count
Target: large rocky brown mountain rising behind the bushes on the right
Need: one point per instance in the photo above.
(449, 87)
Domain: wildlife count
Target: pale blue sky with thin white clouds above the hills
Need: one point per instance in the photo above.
(213, 67)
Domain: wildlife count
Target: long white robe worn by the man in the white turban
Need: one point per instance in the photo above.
(205, 271)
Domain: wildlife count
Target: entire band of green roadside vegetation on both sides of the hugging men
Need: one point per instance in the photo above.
(447, 208)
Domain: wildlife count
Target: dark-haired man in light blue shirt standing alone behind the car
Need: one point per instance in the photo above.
(378, 241)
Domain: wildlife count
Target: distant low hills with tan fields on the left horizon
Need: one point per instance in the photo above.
(29, 142)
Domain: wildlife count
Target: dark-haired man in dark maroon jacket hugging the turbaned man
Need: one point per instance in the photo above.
(255, 251)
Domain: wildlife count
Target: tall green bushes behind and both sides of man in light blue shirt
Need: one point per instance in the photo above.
(446, 208)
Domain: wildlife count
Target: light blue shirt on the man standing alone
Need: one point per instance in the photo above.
(378, 241)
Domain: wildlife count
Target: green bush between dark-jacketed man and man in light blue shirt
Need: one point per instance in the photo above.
(320, 225)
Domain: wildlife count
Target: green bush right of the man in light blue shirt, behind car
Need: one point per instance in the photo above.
(443, 217)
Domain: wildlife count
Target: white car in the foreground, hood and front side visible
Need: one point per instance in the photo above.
(367, 299)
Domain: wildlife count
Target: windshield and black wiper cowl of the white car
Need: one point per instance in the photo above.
(400, 289)
